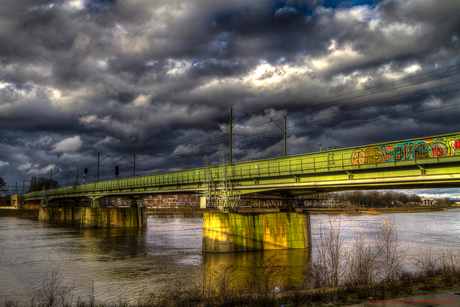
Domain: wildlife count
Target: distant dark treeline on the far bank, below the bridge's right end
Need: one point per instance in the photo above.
(380, 199)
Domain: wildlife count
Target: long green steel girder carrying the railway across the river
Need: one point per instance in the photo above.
(419, 163)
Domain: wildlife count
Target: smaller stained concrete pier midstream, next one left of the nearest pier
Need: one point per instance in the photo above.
(113, 217)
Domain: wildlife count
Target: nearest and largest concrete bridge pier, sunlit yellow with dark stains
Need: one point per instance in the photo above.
(241, 232)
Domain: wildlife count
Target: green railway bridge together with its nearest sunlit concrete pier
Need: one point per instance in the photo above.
(429, 162)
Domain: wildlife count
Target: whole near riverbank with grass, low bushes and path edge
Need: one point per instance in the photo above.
(175, 294)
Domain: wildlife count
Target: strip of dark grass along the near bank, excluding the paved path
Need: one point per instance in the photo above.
(291, 297)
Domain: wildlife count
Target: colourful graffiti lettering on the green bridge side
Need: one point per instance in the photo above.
(429, 148)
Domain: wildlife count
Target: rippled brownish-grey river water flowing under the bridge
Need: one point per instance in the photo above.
(125, 264)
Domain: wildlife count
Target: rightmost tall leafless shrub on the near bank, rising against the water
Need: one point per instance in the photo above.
(390, 254)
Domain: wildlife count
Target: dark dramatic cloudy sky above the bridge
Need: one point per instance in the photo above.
(156, 79)
